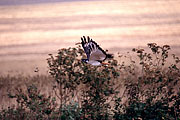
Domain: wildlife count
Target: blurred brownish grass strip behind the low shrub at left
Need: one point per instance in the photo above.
(9, 84)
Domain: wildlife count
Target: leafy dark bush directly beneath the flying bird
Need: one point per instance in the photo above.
(70, 73)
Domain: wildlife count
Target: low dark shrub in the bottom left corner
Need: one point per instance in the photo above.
(30, 105)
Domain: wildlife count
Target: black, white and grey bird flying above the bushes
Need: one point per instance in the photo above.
(95, 54)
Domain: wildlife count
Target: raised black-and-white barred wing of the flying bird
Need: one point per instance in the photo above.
(92, 50)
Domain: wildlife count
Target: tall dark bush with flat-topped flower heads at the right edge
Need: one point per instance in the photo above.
(154, 93)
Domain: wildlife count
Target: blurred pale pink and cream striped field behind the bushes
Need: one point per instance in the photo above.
(31, 29)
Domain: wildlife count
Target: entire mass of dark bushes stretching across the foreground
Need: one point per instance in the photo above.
(145, 88)
